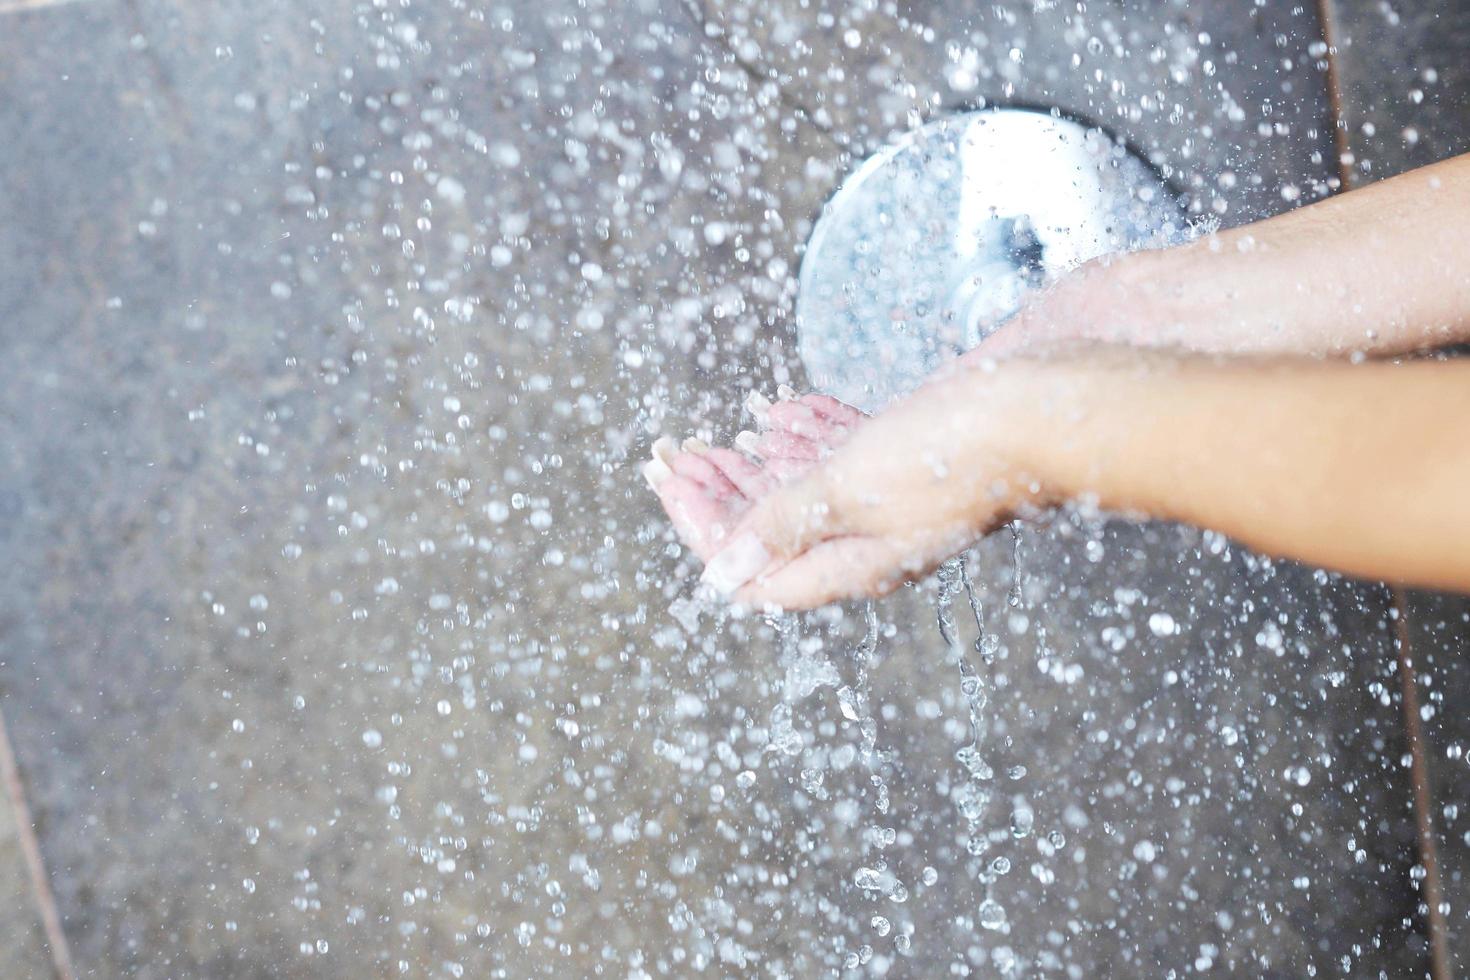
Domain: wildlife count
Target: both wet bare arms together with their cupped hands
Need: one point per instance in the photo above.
(1277, 437)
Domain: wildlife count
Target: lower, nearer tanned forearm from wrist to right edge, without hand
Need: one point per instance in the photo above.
(1347, 468)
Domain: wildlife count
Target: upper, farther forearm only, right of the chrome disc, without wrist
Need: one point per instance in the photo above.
(1385, 270)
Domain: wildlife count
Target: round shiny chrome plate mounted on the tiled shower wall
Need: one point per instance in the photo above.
(933, 242)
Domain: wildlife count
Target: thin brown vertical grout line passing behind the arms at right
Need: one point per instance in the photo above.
(1409, 681)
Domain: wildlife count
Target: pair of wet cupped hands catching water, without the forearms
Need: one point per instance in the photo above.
(796, 516)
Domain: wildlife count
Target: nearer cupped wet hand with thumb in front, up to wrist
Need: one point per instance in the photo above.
(908, 490)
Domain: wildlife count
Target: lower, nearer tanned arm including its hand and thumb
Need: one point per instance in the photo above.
(1363, 469)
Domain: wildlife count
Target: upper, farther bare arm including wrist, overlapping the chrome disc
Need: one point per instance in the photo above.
(1380, 271)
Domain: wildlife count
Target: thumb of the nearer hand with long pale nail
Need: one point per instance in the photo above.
(777, 530)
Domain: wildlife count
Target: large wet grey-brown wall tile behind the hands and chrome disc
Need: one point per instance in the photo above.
(337, 622)
